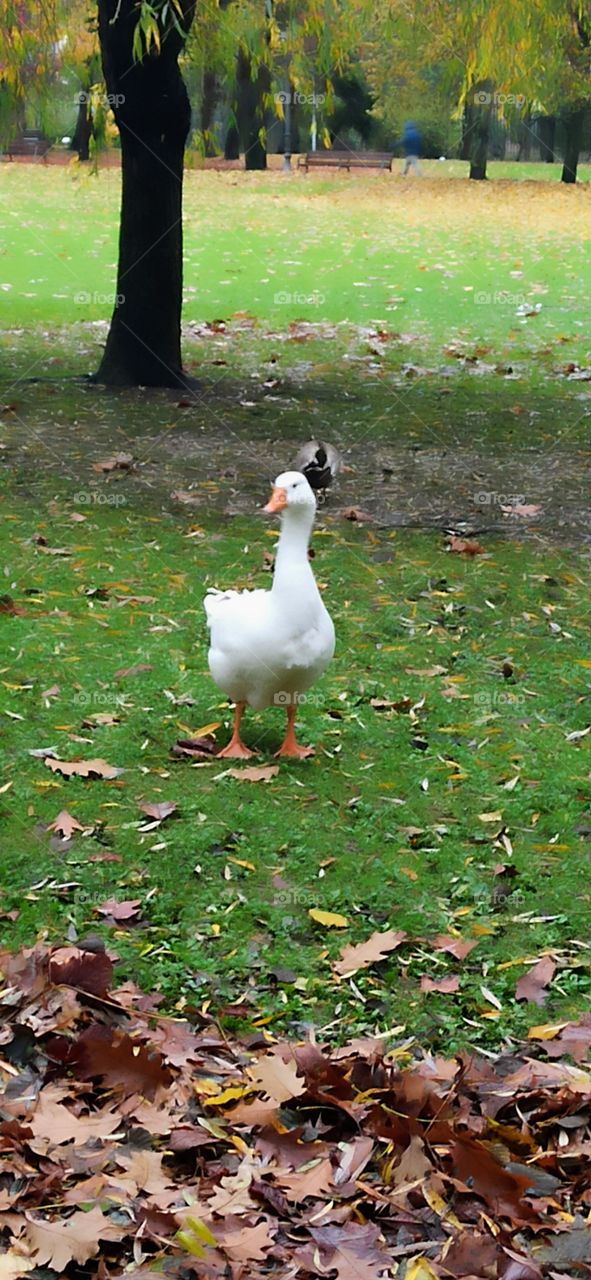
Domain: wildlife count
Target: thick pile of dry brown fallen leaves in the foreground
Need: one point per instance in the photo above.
(121, 1127)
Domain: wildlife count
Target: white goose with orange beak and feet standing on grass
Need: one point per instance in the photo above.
(269, 647)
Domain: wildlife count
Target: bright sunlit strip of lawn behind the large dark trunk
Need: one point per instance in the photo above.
(448, 259)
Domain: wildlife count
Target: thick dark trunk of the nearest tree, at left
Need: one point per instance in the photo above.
(153, 113)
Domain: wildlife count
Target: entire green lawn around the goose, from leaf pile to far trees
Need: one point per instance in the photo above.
(410, 811)
